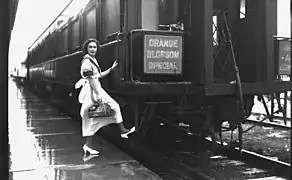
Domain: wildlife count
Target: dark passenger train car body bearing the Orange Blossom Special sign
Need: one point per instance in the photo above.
(173, 56)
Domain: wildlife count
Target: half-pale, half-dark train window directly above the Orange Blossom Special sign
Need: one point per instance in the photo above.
(157, 13)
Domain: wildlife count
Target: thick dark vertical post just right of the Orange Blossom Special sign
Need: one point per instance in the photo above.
(201, 28)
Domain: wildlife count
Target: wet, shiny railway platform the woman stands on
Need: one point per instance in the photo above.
(46, 145)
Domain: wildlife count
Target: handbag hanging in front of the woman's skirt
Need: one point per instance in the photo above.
(100, 109)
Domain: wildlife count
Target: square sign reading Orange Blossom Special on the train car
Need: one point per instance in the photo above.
(162, 54)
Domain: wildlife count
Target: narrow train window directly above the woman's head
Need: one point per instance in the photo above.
(90, 24)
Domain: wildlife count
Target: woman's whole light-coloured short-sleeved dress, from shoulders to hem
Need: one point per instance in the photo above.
(91, 125)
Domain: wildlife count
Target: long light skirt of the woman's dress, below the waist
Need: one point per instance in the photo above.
(91, 125)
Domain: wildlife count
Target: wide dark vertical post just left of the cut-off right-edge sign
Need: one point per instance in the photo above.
(263, 17)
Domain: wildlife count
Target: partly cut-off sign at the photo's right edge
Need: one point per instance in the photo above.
(284, 57)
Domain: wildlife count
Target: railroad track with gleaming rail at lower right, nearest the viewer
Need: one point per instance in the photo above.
(243, 161)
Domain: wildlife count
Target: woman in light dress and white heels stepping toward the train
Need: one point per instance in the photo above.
(91, 92)
